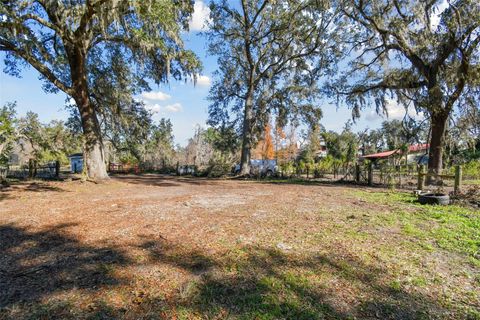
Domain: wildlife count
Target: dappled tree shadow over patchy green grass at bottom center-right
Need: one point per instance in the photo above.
(267, 283)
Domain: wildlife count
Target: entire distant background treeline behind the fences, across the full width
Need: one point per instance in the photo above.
(215, 151)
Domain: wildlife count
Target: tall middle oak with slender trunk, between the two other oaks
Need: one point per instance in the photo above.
(270, 56)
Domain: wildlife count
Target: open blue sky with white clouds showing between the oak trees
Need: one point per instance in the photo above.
(185, 104)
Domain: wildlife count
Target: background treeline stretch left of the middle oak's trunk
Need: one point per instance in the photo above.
(136, 141)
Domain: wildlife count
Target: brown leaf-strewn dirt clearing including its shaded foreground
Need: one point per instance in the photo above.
(154, 247)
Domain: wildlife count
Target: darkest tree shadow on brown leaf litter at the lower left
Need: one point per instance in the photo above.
(35, 265)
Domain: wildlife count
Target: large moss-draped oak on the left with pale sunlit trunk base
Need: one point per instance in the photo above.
(67, 41)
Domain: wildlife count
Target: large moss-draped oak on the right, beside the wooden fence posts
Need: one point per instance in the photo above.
(421, 51)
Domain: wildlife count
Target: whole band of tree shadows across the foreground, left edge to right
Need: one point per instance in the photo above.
(245, 282)
